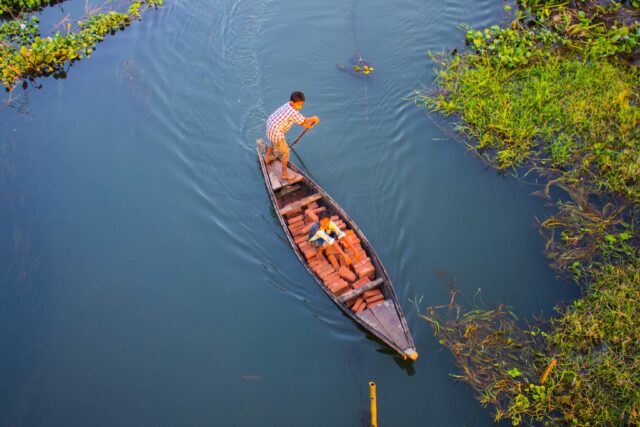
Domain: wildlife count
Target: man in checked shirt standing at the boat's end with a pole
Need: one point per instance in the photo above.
(279, 122)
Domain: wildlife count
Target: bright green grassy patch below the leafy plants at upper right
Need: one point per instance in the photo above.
(576, 119)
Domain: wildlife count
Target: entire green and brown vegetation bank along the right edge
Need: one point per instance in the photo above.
(555, 94)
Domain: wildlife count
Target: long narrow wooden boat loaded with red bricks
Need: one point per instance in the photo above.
(369, 298)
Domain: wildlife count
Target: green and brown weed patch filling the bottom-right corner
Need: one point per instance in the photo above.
(593, 347)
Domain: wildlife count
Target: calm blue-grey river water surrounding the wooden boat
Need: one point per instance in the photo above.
(144, 279)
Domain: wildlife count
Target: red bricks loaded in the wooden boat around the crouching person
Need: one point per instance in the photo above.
(332, 270)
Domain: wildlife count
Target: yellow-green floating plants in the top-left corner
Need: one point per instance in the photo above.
(26, 54)
